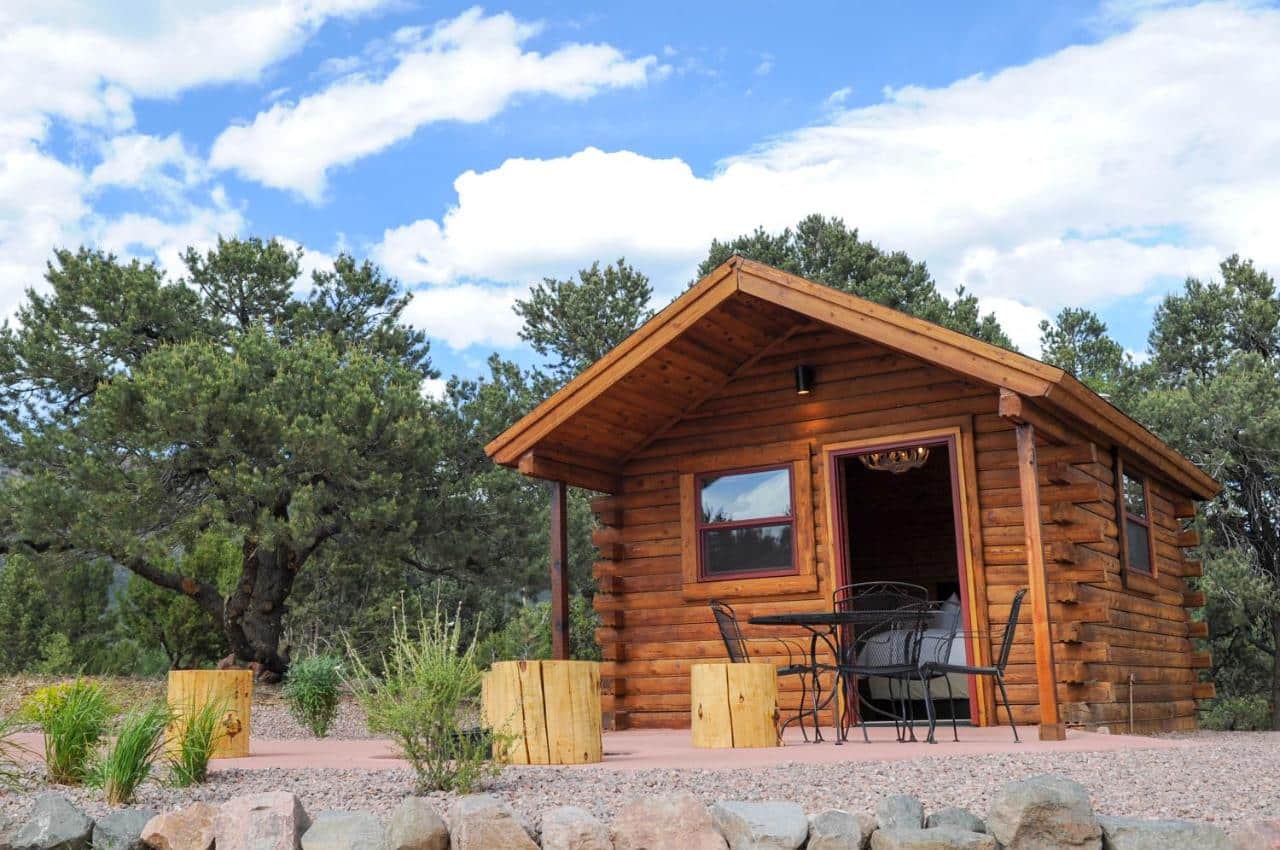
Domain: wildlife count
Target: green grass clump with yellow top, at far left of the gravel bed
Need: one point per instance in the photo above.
(74, 719)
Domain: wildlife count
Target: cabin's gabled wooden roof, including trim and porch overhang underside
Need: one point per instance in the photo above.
(587, 432)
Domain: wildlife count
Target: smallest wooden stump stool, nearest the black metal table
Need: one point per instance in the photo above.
(735, 706)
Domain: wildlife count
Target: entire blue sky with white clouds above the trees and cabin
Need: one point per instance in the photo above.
(1043, 156)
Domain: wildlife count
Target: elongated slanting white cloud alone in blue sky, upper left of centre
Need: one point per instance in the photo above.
(467, 70)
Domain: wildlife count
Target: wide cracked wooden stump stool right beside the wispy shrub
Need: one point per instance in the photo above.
(550, 711)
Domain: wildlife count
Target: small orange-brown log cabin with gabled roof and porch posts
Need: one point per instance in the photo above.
(766, 440)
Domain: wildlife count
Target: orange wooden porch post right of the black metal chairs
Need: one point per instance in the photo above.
(1012, 408)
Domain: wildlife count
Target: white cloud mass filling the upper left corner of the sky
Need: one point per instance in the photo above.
(85, 63)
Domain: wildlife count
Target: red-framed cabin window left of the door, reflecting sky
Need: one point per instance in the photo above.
(747, 524)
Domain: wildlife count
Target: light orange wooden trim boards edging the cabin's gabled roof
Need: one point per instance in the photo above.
(883, 326)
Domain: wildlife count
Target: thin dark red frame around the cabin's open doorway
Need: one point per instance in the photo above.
(839, 546)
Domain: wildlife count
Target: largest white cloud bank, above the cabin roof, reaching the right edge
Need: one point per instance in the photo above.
(1077, 179)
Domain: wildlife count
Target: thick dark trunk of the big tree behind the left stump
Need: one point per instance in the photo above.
(254, 616)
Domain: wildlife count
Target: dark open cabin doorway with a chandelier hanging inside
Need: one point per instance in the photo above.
(902, 522)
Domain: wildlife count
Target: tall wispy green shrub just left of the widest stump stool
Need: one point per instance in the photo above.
(423, 700)
